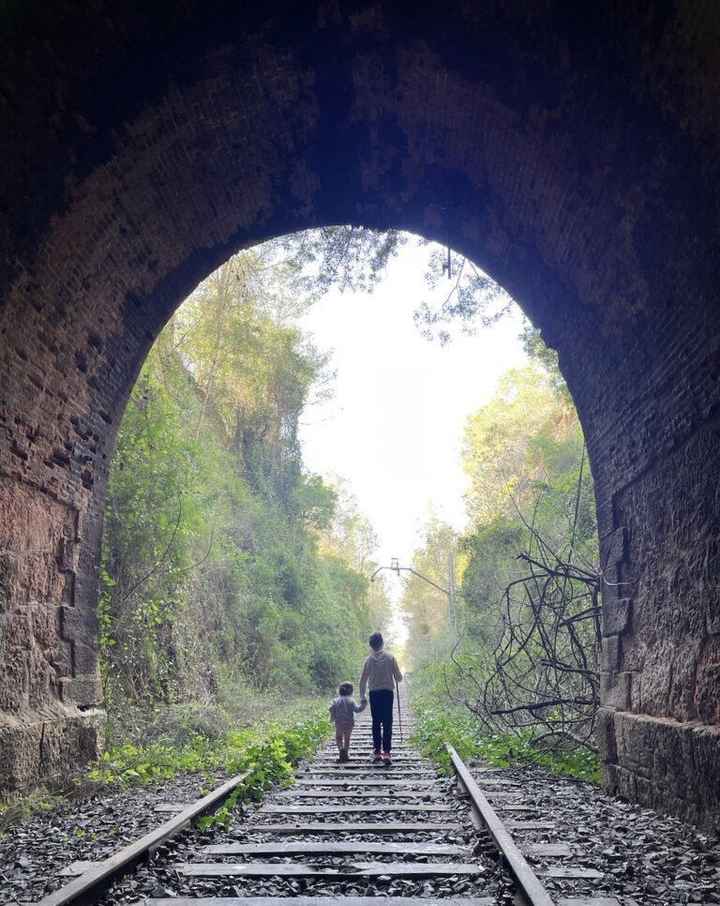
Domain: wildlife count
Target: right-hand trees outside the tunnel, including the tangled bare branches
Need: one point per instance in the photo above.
(527, 656)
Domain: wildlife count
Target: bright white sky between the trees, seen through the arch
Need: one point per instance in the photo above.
(394, 428)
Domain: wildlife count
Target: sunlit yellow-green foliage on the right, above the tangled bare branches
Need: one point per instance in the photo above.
(523, 454)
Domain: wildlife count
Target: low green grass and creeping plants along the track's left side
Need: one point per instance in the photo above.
(265, 735)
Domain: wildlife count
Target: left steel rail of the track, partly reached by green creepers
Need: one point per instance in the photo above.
(92, 884)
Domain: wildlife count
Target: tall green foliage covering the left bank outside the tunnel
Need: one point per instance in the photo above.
(218, 555)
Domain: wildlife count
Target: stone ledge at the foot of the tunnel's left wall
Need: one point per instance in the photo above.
(40, 749)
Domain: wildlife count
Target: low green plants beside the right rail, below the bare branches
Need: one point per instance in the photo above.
(436, 726)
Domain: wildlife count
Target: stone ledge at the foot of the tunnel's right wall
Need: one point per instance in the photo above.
(670, 766)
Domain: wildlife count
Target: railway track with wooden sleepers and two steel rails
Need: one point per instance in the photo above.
(344, 834)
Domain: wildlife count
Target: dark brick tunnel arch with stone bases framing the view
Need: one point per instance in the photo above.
(573, 157)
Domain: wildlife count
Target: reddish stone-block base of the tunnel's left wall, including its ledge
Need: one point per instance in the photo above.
(50, 720)
